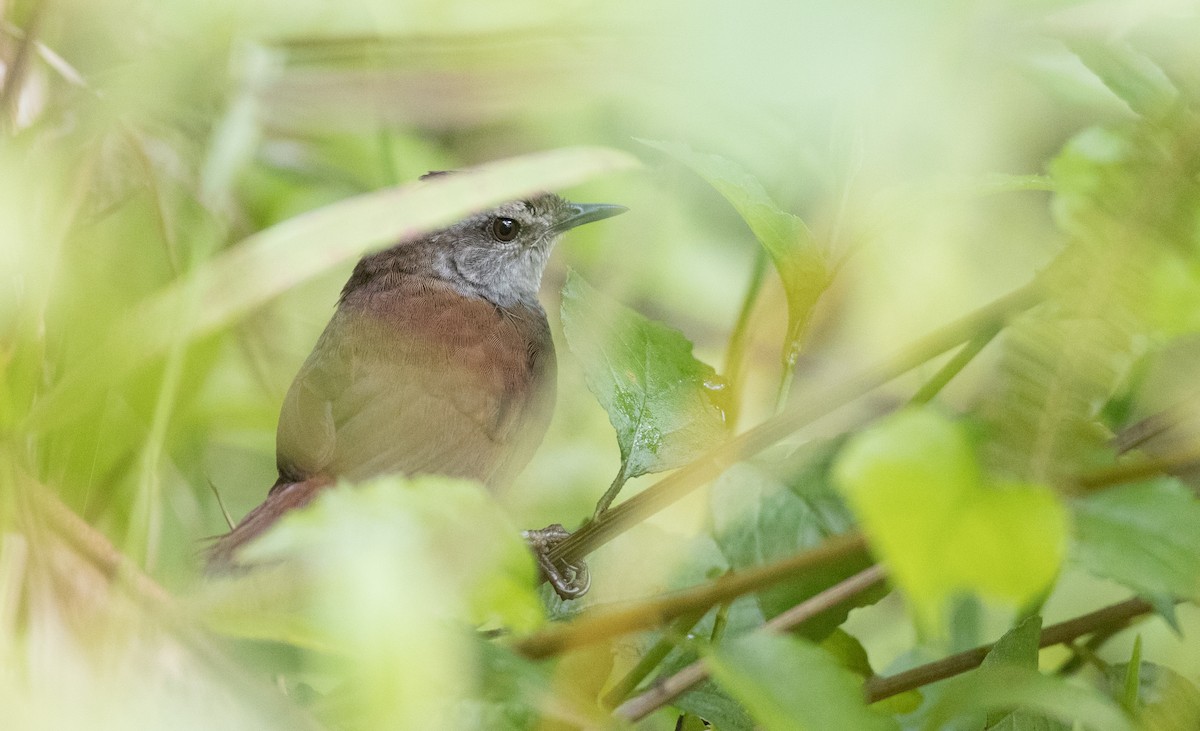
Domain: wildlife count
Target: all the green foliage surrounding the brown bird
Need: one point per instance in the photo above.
(184, 188)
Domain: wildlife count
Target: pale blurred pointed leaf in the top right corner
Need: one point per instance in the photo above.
(1135, 79)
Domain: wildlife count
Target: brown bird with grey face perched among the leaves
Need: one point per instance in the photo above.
(439, 361)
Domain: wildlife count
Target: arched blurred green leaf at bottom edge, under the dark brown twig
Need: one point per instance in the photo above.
(1006, 687)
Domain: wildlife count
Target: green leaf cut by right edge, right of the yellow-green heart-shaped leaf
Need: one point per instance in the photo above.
(1145, 537)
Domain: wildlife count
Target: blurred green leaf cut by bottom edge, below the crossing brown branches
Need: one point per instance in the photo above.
(789, 685)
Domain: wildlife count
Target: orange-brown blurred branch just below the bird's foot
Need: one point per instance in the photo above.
(604, 624)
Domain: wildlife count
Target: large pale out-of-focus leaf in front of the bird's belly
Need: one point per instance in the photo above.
(394, 574)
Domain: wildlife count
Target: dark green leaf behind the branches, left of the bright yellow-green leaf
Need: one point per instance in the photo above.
(764, 511)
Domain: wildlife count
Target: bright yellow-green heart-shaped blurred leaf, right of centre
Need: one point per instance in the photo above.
(919, 493)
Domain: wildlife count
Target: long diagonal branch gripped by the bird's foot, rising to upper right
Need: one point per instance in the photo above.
(667, 492)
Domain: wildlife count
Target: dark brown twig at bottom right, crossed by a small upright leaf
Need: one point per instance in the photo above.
(1114, 616)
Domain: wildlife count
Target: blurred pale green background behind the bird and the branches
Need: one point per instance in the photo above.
(143, 139)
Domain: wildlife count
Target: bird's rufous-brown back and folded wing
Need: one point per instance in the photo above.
(427, 386)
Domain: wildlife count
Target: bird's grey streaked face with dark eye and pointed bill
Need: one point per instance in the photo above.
(500, 255)
